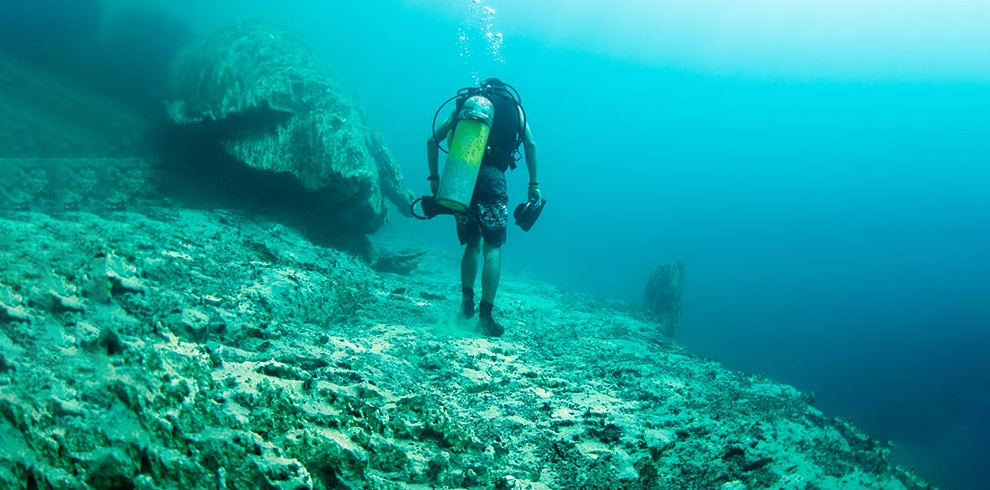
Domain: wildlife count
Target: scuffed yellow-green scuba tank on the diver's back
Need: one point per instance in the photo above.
(467, 149)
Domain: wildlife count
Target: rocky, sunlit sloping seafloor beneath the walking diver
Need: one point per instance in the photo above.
(188, 349)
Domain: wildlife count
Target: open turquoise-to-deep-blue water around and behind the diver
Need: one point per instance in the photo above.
(822, 172)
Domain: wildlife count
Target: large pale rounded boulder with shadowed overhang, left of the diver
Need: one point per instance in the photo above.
(260, 93)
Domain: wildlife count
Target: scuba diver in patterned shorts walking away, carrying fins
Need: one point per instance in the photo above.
(484, 132)
